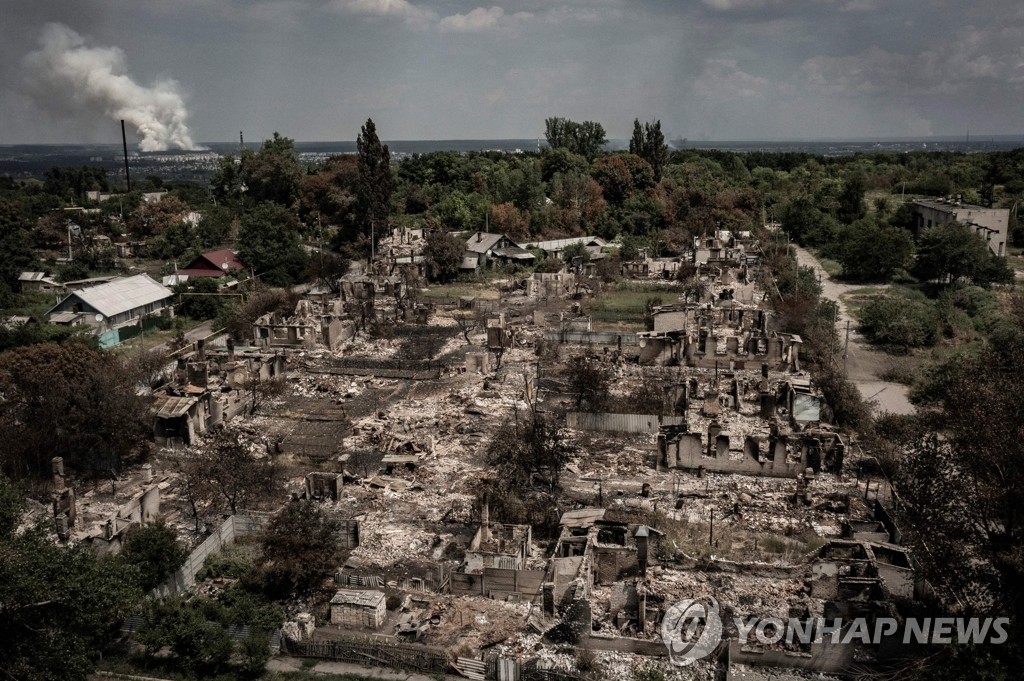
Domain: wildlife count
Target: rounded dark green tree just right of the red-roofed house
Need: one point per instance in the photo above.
(270, 242)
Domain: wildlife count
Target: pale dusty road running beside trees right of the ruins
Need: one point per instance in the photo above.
(864, 363)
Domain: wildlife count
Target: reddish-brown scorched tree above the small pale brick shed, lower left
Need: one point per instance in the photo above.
(301, 549)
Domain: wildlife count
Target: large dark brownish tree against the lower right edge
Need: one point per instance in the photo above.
(956, 481)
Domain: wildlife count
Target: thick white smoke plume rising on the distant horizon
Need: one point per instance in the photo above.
(64, 68)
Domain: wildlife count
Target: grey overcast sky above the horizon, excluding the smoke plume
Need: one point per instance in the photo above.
(316, 70)
